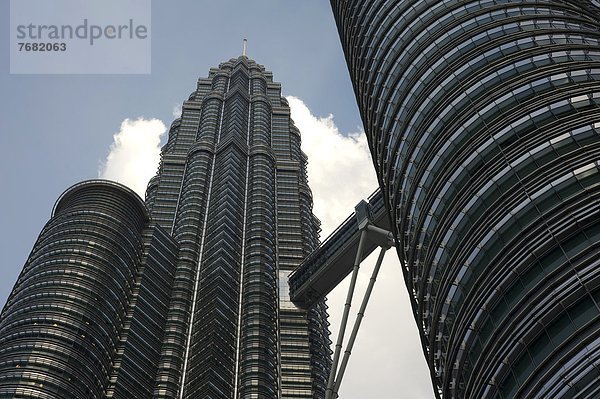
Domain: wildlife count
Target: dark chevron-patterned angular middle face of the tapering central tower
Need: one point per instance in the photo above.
(214, 322)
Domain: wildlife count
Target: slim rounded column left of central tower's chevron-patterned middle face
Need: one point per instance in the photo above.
(188, 231)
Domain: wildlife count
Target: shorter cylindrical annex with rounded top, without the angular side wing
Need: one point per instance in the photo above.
(61, 324)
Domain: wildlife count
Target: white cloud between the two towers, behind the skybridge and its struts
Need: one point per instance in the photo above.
(387, 360)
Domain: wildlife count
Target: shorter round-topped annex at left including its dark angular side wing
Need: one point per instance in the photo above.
(64, 328)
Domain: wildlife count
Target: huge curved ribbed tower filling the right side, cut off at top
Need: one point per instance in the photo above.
(483, 120)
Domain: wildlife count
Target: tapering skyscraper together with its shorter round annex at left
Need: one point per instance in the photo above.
(184, 296)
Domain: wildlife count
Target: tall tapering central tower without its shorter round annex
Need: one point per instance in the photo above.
(232, 189)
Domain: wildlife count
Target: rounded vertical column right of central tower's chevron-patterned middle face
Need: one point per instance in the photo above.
(258, 376)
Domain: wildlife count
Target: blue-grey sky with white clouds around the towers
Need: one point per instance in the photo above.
(56, 130)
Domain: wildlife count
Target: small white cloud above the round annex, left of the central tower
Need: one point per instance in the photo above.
(134, 154)
